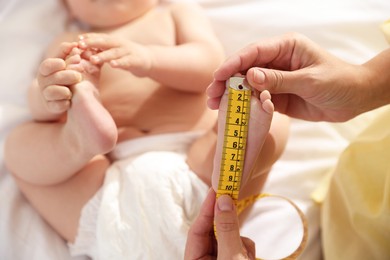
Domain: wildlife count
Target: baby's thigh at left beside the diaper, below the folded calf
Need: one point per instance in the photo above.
(61, 204)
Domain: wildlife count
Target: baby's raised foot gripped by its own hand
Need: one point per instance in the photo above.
(88, 122)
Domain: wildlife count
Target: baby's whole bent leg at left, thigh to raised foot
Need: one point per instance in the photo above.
(60, 165)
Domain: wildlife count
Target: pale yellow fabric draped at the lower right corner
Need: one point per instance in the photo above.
(356, 211)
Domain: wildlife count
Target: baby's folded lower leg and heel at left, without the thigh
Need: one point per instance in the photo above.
(47, 153)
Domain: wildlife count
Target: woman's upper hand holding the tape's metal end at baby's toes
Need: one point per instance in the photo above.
(305, 81)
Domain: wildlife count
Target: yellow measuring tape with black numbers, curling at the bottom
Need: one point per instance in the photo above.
(233, 152)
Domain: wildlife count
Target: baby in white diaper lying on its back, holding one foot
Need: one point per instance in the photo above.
(119, 115)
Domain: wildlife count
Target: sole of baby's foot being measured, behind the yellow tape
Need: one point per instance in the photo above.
(261, 113)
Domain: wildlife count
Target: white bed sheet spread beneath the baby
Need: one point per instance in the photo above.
(348, 28)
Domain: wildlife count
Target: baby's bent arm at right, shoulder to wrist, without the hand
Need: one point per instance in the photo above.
(191, 63)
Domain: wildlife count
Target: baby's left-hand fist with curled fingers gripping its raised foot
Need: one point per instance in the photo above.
(54, 79)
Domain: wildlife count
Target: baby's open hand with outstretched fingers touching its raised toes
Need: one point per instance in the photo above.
(118, 52)
